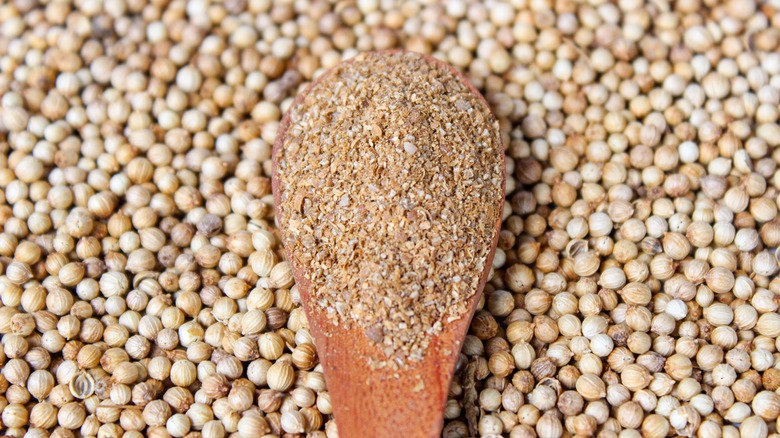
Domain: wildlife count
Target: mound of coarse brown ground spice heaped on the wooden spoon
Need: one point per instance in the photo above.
(389, 175)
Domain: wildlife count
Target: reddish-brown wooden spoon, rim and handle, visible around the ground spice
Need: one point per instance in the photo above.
(371, 402)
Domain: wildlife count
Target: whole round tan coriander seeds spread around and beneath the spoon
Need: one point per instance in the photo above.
(144, 291)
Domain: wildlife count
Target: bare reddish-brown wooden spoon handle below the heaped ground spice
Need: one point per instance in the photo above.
(383, 402)
